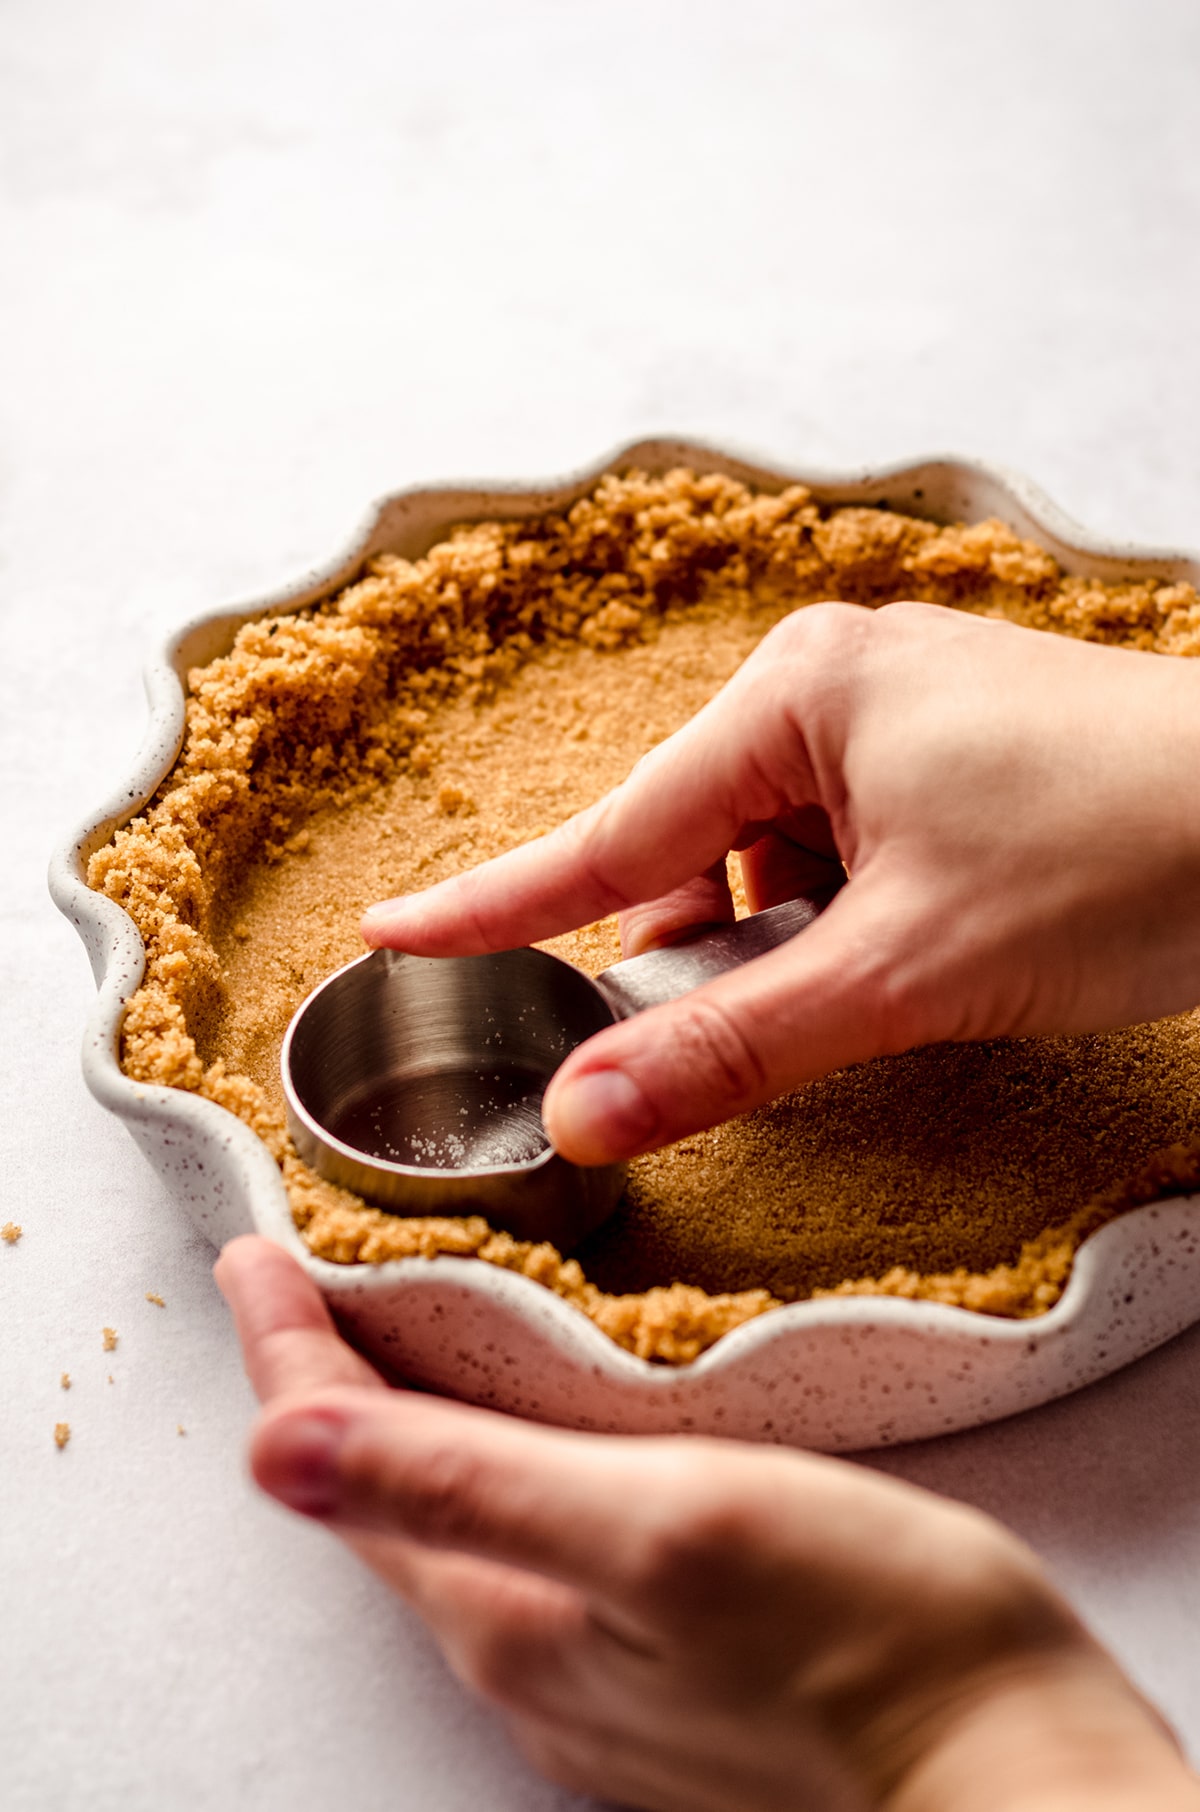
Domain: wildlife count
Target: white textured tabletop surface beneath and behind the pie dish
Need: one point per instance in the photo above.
(264, 262)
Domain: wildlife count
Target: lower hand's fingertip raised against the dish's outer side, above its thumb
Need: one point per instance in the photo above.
(287, 1335)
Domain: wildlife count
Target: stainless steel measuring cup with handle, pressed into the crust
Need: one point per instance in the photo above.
(418, 1081)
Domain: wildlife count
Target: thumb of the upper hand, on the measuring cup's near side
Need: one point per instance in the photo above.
(846, 988)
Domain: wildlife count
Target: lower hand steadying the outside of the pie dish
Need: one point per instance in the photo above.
(697, 1626)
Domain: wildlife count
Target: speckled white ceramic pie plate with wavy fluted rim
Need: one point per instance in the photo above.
(833, 1374)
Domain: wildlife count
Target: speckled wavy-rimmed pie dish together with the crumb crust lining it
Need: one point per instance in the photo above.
(876, 1262)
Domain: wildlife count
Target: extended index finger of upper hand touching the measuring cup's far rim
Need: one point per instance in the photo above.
(739, 762)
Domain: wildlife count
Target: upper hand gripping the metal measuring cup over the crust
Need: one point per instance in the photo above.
(1016, 816)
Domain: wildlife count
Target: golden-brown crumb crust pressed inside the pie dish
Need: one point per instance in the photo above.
(445, 709)
